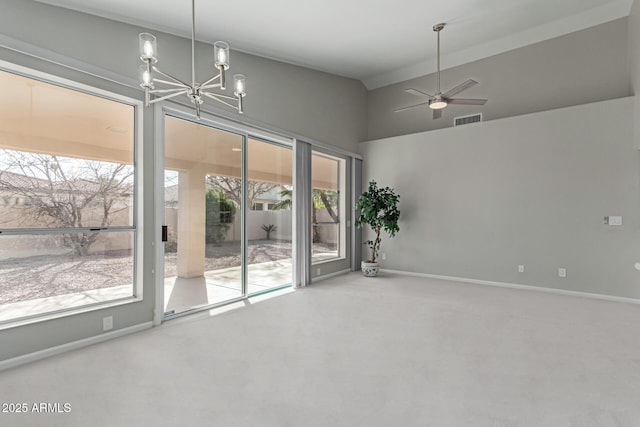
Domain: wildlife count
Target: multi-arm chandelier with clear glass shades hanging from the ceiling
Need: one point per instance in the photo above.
(169, 86)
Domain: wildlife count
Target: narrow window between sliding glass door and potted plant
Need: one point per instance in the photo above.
(328, 200)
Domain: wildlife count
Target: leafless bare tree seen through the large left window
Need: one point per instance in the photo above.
(59, 192)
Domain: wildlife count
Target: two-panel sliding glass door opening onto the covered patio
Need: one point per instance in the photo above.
(227, 216)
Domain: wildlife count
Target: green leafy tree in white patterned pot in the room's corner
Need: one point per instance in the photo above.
(379, 210)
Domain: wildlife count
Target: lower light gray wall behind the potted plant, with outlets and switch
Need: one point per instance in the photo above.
(478, 200)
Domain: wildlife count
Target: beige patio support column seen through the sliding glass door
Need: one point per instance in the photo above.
(191, 223)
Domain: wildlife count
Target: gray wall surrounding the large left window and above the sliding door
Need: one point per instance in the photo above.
(316, 105)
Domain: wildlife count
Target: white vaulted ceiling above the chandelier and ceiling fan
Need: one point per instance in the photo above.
(377, 41)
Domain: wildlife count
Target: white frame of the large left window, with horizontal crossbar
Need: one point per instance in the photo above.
(134, 228)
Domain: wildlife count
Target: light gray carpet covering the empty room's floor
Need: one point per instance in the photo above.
(350, 351)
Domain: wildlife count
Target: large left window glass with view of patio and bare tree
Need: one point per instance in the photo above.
(67, 198)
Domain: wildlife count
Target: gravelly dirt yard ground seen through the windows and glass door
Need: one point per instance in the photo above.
(23, 279)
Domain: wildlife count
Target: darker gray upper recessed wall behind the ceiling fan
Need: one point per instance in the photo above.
(585, 66)
